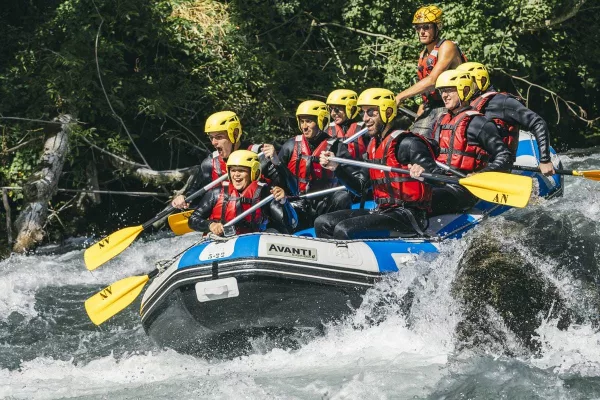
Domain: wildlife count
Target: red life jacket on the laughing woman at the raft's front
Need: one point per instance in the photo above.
(231, 204)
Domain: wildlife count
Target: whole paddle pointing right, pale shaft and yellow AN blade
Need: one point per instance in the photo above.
(495, 187)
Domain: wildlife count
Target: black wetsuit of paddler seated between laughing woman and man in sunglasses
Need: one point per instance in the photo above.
(309, 209)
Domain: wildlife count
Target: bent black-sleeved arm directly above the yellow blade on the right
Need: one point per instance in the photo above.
(484, 133)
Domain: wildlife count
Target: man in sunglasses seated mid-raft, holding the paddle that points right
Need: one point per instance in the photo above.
(402, 200)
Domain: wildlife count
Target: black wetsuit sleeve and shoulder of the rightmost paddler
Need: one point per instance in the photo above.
(513, 112)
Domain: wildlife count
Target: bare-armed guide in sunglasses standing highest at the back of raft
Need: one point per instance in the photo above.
(438, 56)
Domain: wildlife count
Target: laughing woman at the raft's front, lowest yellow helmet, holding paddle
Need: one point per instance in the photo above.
(241, 191)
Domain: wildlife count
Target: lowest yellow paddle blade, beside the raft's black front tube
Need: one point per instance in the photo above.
(114, 298)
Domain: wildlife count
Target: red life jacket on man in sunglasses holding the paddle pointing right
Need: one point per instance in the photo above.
(393, 189)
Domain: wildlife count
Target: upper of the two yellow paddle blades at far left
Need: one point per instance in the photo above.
(110, 246)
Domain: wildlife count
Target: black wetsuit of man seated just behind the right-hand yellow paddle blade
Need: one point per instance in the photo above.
(449, 198)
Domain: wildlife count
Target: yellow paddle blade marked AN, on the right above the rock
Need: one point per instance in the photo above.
(497, 187)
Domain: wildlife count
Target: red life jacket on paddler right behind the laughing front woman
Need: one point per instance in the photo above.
(306, 167)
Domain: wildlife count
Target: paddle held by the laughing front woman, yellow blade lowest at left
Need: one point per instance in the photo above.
(115, 297)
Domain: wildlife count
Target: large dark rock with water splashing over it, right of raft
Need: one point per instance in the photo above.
(504, 298)
